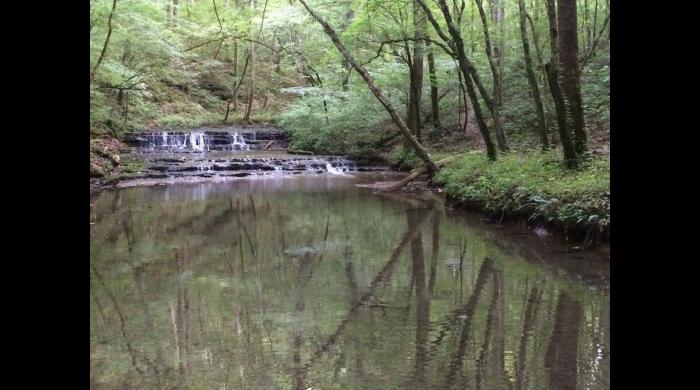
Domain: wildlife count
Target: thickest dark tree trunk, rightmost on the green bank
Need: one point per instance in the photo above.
(568, 63)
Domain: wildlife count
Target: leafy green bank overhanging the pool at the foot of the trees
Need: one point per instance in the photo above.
(537, 188)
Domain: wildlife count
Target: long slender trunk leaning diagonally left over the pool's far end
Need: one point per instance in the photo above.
(422, 153)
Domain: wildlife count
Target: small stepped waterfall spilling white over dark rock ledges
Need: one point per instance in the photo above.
(230, 153)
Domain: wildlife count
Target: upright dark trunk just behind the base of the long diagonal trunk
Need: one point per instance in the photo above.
(416, 85)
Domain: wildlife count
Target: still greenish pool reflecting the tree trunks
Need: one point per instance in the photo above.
(312, 282)
